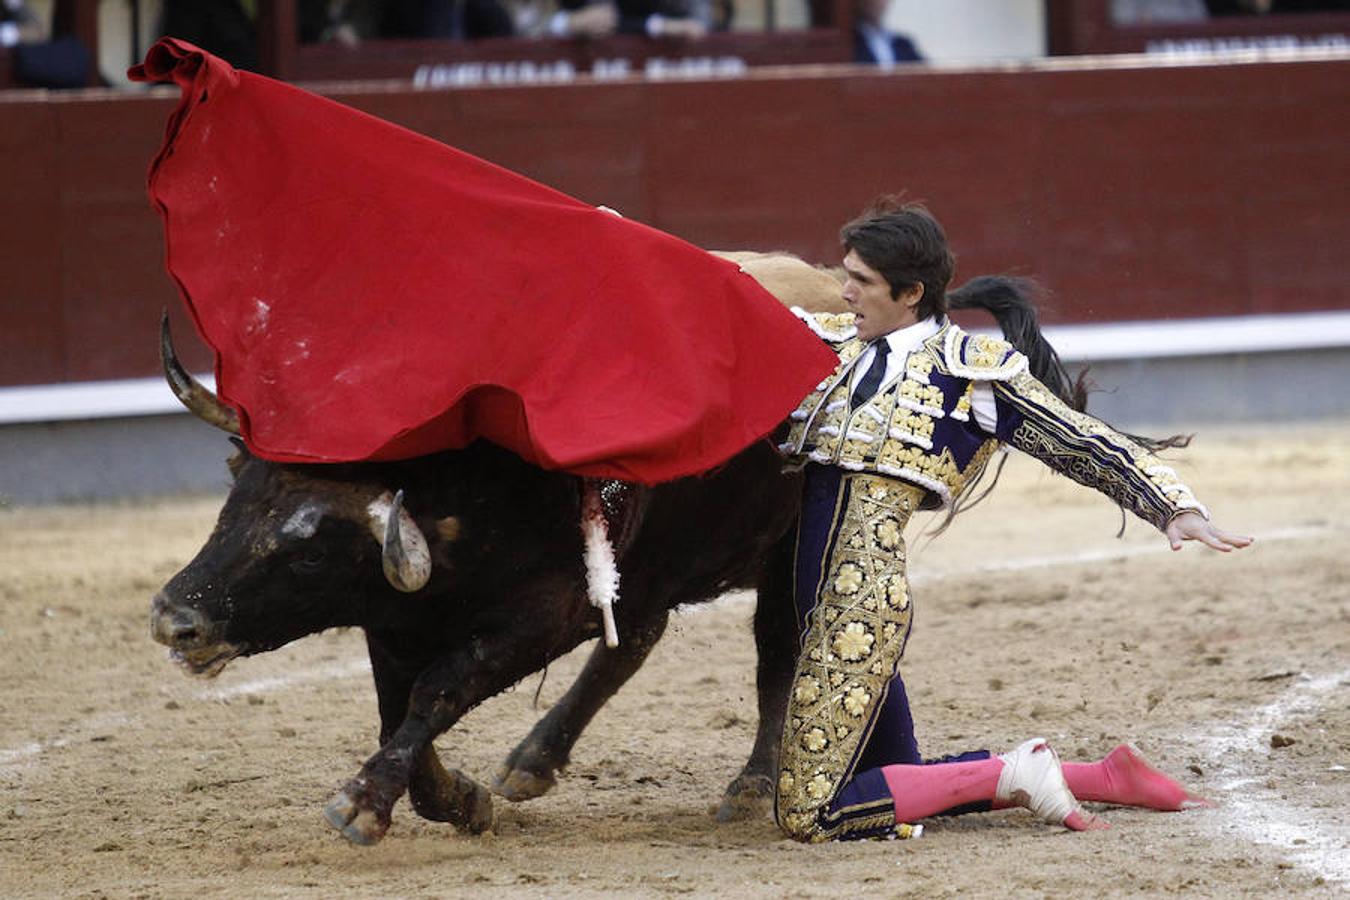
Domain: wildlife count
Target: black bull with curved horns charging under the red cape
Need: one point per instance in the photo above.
(299, 550)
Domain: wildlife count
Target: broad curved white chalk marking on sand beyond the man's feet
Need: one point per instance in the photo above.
(1316, 840)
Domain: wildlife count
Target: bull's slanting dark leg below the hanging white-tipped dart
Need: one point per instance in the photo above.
(531, 770)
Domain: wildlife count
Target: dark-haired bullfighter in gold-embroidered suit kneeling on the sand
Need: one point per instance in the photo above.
(908, 422)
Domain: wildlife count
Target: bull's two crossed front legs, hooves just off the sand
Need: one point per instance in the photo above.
(439, 697)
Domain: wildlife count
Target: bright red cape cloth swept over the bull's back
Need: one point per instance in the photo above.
(373, 295)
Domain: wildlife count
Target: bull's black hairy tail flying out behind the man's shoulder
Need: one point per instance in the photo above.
(1013, 303)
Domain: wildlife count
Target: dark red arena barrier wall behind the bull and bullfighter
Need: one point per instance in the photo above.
(1133, 194)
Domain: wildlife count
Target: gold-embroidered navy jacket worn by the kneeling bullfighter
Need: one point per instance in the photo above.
(920, 430)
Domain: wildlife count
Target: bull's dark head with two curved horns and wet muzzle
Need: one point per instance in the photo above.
(298, 549)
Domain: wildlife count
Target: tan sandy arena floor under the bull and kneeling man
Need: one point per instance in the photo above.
(124, 778)
